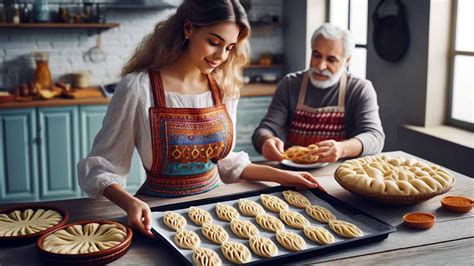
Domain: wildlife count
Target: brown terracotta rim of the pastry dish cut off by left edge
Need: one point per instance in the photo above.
(32, 237)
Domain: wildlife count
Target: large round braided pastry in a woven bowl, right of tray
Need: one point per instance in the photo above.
(393, 180)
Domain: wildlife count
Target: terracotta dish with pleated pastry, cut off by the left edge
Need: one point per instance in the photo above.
(27, 222)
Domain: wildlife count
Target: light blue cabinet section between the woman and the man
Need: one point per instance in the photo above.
(250, 112)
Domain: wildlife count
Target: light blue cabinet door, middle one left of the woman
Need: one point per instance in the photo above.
(58, 152)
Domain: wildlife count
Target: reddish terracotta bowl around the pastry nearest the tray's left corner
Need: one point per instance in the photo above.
(93, 258)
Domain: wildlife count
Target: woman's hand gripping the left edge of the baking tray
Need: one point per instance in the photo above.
(139, 217)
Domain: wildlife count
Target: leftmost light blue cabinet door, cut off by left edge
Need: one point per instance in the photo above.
(18, 157)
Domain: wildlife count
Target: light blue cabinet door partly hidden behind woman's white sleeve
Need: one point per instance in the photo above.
(91, 122)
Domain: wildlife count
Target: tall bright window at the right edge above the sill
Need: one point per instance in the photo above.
(461, 104)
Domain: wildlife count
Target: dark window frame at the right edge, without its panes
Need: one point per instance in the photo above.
(452, 54)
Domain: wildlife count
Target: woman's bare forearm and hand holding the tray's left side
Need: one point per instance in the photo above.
(138, 212)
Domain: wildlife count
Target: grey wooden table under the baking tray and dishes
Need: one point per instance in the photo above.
(450, 241)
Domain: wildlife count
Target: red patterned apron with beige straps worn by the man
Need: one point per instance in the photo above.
(311, 125)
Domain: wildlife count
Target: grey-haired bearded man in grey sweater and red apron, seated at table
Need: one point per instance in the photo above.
(334, 110)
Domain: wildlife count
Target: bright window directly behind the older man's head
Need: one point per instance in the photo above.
(352, 15)
